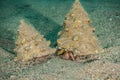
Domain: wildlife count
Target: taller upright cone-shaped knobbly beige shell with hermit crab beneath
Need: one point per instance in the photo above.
(77, 34)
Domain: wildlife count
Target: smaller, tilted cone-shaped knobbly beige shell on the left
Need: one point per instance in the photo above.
(30, 43)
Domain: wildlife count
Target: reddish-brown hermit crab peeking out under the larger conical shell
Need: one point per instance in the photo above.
(69, 55)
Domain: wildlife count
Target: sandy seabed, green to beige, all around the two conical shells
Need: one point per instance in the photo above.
(47, 17)
